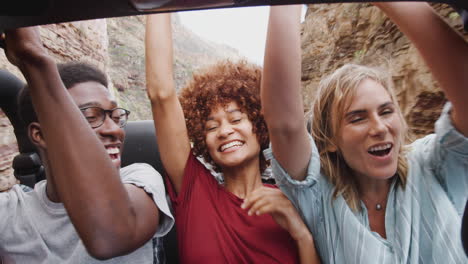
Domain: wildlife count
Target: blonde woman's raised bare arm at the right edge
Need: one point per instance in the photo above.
(443, 49)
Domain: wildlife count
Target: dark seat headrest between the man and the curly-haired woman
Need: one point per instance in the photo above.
(140, 145)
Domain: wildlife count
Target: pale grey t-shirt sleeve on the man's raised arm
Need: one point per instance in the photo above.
(146, 177)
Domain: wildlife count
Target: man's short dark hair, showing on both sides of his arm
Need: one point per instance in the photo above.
(71, 74)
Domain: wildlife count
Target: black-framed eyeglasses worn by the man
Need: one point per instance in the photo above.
(96, 116)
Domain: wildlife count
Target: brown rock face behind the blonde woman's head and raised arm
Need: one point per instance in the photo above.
(335, 34)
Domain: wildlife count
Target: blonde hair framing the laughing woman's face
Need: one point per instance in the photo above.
(333, 98)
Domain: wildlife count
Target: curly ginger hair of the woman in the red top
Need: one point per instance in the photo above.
(219, 85)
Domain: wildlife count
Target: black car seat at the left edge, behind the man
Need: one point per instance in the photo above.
(27, 164)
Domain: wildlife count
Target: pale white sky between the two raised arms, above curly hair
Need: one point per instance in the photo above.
(241, 28)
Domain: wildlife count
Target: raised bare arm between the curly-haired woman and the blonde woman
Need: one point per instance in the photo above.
(281, 91)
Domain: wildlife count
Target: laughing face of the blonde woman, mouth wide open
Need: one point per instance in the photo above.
(370, 132)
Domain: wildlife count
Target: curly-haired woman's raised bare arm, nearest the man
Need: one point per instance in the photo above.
(169, 121)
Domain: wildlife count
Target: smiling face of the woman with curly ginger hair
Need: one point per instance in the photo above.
(229, 137)
